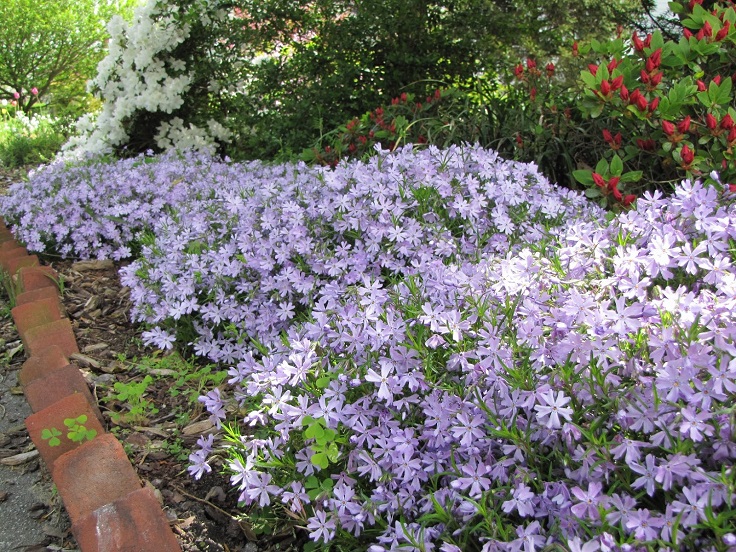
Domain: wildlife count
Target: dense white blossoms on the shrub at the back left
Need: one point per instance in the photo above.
(139, 74)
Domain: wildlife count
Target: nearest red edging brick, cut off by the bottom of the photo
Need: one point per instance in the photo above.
(133, 523)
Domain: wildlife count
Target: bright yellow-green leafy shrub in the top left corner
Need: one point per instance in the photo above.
(53, 46)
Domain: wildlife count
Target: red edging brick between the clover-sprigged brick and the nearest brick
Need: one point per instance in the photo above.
(93, 475)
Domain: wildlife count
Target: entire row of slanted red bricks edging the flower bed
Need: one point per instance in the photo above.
(110, 510)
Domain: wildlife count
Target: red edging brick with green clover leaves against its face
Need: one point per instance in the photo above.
(71, 406)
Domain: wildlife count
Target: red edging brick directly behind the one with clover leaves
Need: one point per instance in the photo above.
(55, 385)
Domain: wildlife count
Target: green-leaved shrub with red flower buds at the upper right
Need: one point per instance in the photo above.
(667, 106)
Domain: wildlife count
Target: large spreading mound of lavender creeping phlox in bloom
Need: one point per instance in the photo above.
(440, 350)
